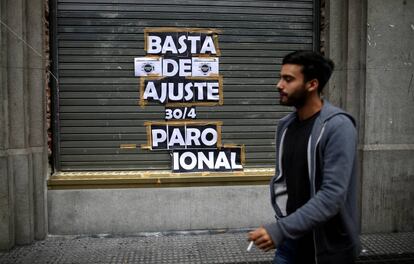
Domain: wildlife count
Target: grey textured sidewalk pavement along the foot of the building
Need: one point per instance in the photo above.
(218, 246)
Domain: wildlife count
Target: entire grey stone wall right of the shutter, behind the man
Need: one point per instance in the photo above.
(371, 42)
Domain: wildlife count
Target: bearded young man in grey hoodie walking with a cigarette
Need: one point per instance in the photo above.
(314, 190)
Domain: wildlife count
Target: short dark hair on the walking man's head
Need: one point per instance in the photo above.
(314, 66)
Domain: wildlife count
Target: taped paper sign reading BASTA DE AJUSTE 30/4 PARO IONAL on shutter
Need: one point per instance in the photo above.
(181, 72)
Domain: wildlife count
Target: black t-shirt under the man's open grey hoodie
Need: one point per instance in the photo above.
(295, 169)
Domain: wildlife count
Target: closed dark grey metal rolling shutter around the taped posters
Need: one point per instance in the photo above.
(97, 97)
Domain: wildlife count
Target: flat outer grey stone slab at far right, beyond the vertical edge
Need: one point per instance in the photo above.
(388, 169)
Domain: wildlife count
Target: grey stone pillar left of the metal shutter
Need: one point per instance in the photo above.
(23, 149)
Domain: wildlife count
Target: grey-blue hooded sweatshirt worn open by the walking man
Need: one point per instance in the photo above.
(331, 213)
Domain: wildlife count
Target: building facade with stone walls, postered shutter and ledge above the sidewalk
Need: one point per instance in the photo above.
(101, 173)
